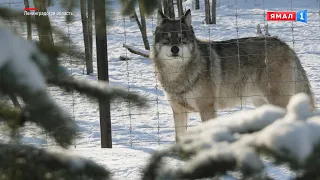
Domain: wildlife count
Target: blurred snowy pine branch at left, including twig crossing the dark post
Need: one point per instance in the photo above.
(26, 75)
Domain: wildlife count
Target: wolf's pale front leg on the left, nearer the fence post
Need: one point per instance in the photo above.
(180, 116)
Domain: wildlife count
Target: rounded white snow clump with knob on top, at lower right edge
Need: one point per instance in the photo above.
(299, 132)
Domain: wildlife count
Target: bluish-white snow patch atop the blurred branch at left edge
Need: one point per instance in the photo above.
(16, 55)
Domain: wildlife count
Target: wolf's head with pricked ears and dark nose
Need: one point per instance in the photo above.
(174, 39)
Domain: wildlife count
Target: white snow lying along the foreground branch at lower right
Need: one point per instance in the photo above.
(294, 136)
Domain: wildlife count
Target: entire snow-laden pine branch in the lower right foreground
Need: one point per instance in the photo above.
(236, 143)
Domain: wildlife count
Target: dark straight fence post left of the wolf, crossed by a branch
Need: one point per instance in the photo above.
(102, 64)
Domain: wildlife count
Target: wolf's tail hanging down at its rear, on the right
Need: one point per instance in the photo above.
(301, 80)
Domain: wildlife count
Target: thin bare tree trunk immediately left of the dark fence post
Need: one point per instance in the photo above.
(83, 6)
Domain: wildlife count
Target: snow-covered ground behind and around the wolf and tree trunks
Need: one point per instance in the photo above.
(137, 133)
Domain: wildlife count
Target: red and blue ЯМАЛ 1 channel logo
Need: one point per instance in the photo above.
(300, 16)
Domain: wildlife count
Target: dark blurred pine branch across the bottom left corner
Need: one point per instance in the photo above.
(20, 162)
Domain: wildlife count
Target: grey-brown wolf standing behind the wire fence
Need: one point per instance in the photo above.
(199, 76)
